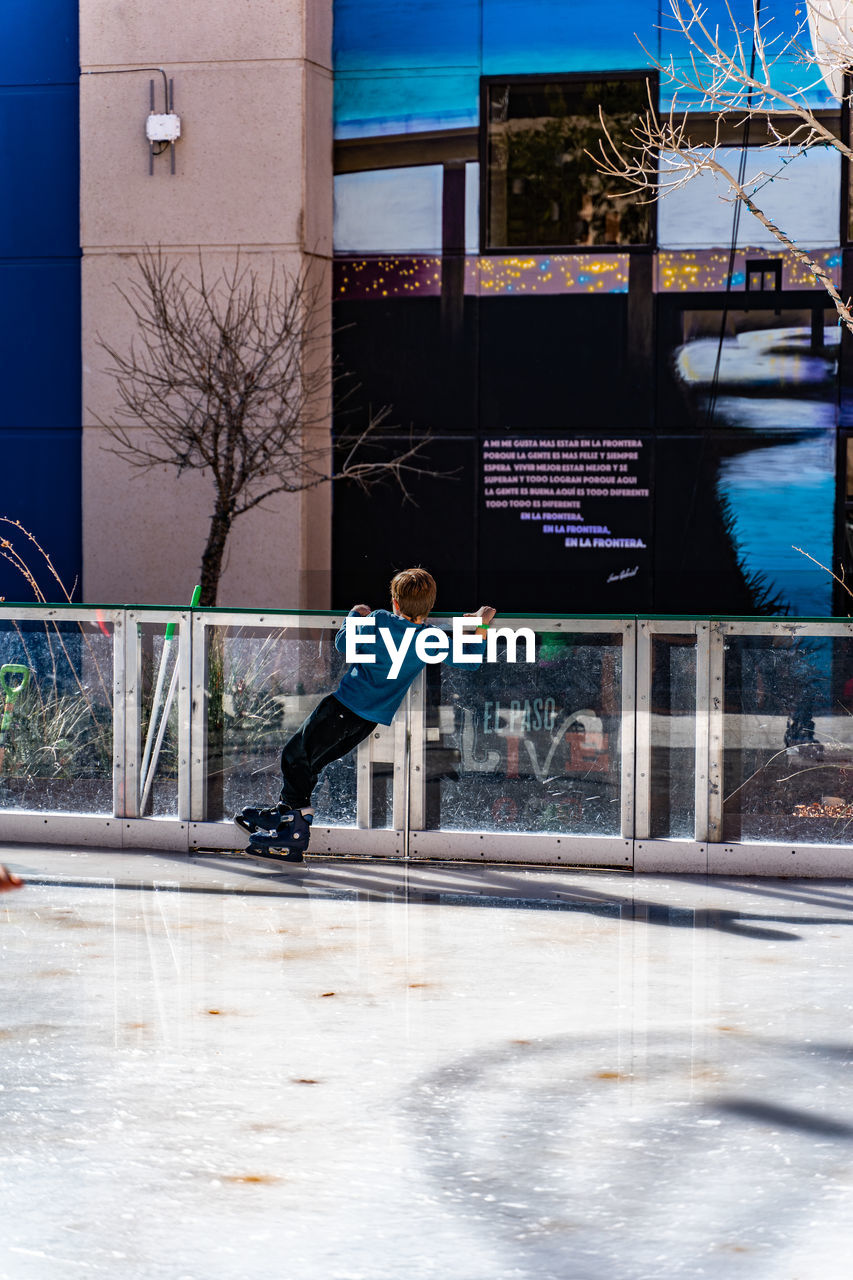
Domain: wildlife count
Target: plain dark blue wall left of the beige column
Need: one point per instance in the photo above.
(40, 327)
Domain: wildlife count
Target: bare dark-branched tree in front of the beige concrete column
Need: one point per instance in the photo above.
(232, 377)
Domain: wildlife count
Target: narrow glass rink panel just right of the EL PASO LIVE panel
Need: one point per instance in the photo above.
(673, 766)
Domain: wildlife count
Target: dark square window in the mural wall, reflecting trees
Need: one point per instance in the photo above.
(544, 186)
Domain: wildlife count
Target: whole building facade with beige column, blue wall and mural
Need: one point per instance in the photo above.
(621, 408)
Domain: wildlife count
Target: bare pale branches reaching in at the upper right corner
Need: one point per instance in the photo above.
(738, 80)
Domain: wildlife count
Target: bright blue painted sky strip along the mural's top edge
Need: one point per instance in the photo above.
(417, 65)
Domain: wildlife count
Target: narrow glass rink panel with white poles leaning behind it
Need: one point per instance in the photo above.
(159, 743)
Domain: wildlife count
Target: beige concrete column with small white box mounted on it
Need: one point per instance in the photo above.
(253, 86)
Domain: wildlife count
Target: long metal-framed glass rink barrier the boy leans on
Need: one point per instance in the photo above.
(658, 744)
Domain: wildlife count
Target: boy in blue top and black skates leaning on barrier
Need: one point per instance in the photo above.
(367, 697)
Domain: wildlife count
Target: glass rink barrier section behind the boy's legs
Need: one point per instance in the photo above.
(262, 685)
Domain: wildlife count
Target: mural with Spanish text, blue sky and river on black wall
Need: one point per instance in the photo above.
(626, 412)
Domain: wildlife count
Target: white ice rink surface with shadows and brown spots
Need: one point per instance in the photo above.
(367, 1072)
